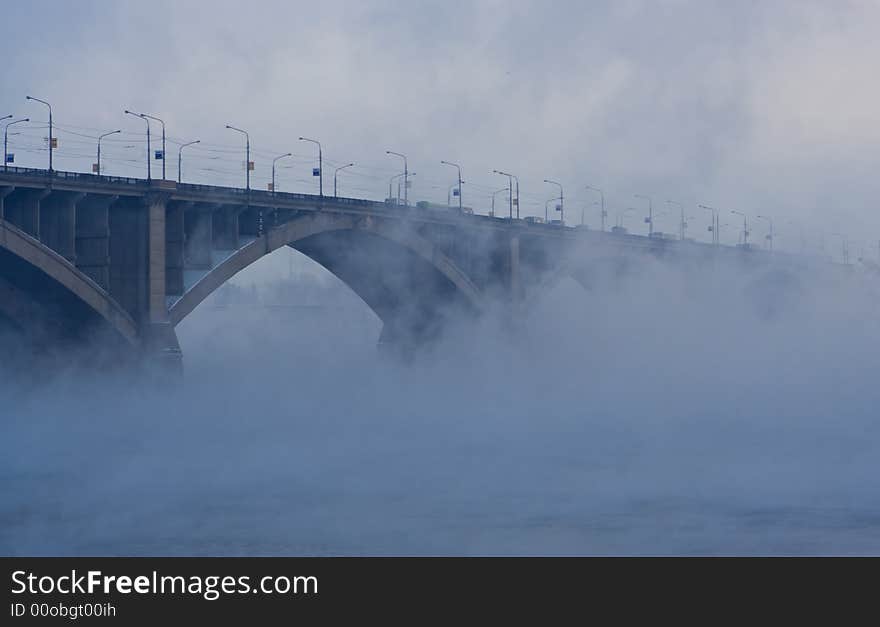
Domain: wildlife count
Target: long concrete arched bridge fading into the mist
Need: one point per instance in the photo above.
(85, 256)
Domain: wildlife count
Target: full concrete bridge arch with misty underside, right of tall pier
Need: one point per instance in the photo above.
(373, 256)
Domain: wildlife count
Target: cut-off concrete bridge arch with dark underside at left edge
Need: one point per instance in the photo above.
(40, 287)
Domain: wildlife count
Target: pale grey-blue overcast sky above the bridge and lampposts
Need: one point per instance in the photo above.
(765, 107)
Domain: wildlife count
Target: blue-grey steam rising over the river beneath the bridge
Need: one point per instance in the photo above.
(661, 412)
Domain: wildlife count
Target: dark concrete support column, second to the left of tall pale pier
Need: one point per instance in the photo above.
(92, 243)
